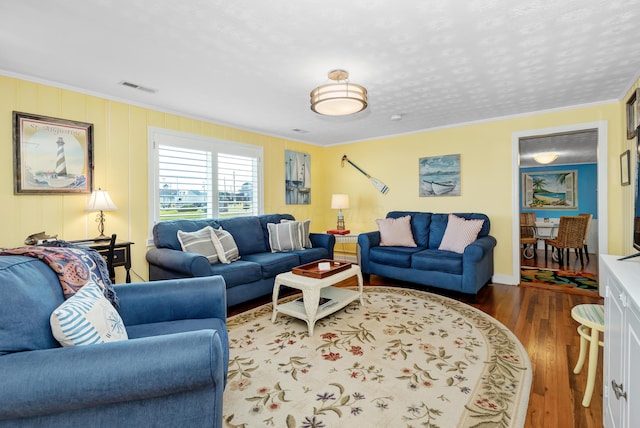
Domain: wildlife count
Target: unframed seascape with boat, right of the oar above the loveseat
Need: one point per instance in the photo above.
(439, 176)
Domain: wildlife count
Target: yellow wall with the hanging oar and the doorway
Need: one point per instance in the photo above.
(486, 173)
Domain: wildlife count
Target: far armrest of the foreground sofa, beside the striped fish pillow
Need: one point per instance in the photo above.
(172, 299)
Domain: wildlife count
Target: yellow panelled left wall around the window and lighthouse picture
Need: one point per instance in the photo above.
(120, 159)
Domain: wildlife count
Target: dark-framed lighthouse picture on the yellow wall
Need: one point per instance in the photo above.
(51, 155)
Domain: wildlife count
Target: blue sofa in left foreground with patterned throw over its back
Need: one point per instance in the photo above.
(170, 373)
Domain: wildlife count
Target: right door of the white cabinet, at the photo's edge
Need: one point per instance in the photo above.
(632, 381)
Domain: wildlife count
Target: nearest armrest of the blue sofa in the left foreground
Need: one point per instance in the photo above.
(65, 379)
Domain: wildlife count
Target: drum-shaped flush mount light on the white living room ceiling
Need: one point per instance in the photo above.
(340, 98)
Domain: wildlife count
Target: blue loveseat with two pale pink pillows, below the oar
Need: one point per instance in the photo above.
(426, 264)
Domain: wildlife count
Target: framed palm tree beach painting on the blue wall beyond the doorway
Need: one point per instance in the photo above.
(550, 190)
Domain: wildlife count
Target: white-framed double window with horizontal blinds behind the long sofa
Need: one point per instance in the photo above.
(194, 177)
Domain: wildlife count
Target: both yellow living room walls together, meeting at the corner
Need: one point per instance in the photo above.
(120, 151)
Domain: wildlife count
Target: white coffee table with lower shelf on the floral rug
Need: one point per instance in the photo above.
(312, 289)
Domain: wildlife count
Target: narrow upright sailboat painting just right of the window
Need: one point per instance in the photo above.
(297, 178)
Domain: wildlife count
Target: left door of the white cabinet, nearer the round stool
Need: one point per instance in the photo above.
(613, 352)
